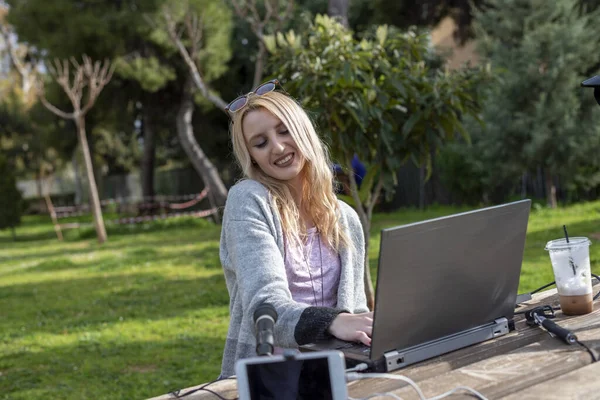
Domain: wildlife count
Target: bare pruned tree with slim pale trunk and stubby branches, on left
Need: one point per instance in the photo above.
(94, 76)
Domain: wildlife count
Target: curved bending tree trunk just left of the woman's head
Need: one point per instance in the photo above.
(203, 166)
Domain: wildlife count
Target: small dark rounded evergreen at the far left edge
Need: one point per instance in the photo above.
(10, 201)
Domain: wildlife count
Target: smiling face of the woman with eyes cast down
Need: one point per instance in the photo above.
(271, 146)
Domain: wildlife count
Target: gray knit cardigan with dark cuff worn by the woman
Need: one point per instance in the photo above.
(252, 256)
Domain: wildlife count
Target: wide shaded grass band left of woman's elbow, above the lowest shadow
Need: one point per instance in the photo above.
(82, 304)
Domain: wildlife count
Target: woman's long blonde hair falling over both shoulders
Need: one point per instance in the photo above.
(318, 198)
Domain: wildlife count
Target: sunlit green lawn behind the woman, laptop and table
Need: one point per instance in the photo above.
(147, 312)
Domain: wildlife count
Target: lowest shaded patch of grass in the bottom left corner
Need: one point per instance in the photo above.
(111, 370)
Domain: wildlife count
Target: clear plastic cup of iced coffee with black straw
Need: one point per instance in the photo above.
(571, 266)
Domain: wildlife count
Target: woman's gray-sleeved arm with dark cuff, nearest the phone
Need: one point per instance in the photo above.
(250, 240)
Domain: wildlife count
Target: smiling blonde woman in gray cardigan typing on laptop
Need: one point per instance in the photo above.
(286, 240)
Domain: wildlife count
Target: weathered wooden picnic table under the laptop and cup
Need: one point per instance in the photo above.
(525, 364)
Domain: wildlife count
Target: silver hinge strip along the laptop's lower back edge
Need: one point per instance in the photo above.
(398, 359)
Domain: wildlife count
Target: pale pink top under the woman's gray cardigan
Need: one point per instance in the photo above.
(313, 271)
